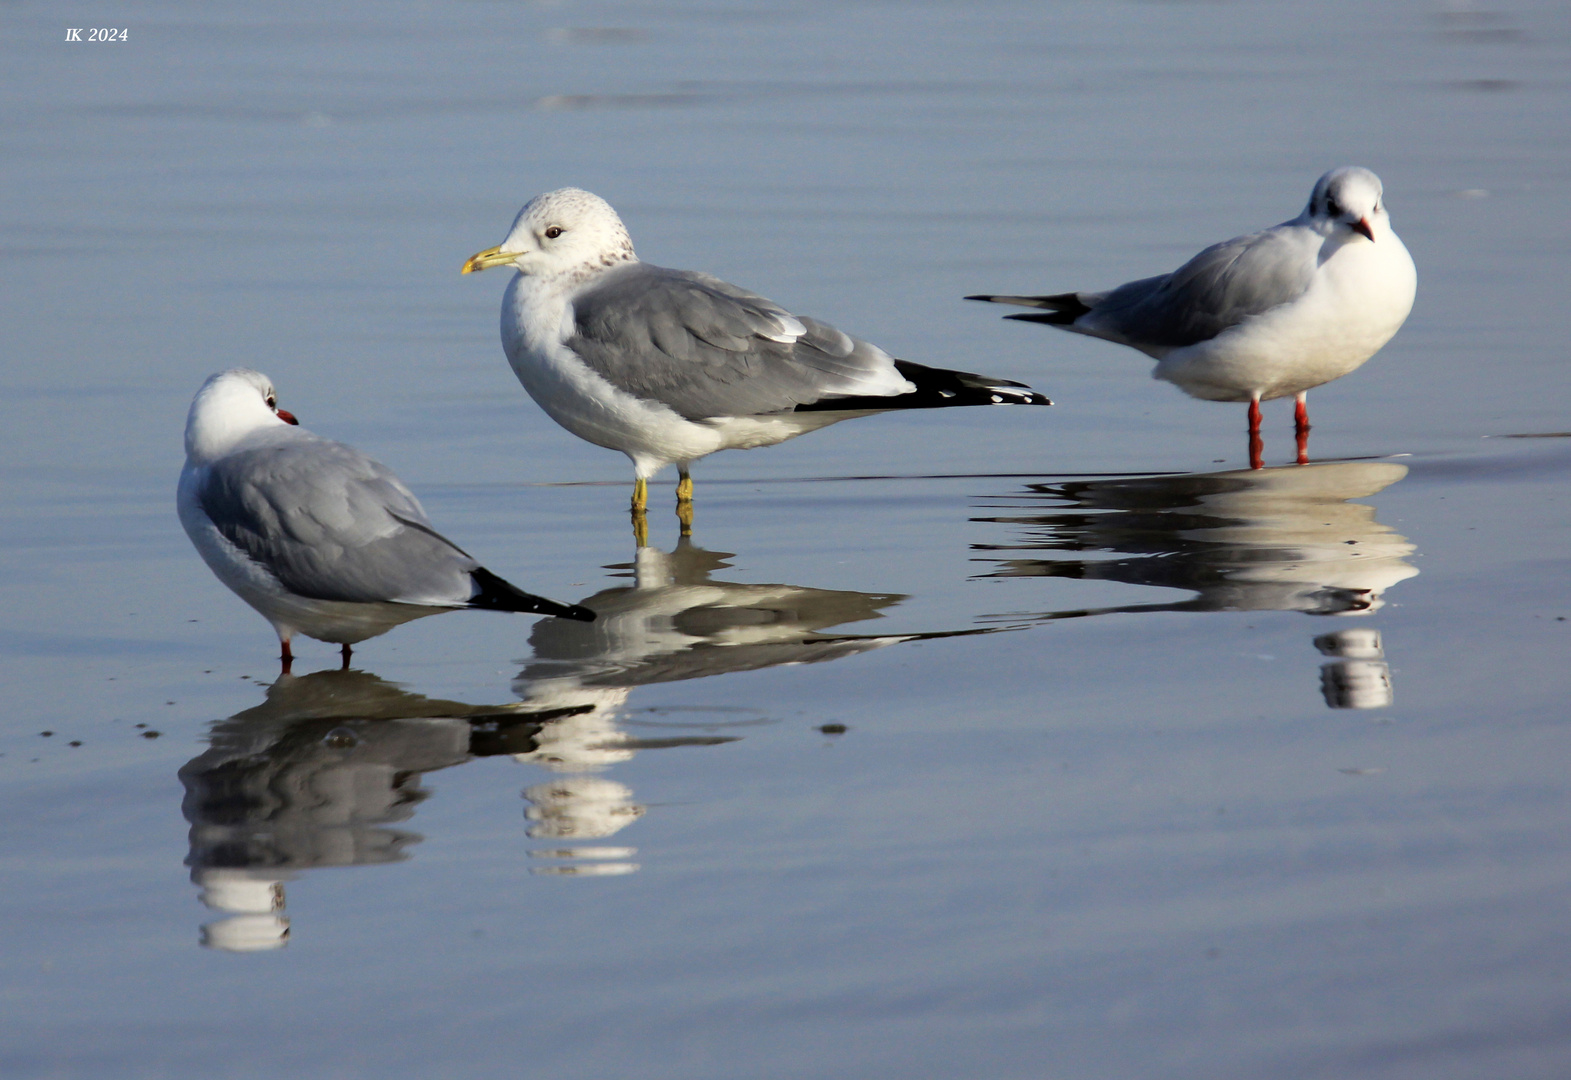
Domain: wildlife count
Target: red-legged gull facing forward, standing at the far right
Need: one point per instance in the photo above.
(1265, 315)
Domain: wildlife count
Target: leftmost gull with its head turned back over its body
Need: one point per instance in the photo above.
(315, 535)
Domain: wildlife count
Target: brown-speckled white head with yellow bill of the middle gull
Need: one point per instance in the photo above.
(568, 232)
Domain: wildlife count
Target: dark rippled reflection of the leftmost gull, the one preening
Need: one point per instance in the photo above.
(315, 777)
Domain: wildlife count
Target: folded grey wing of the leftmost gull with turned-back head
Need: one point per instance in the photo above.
(334, 524)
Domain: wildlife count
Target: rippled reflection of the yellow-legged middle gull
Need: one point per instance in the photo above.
(673, 623)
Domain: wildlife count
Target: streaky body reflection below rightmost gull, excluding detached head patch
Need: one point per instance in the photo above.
(1262, 540)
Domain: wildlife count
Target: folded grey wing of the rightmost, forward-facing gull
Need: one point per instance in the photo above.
(1218, 288)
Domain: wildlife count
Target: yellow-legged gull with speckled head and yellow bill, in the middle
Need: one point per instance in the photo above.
(673, 366)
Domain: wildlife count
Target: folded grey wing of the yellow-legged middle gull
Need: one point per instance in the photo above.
(706, 348)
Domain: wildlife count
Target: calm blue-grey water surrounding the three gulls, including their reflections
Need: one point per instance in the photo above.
(1006, 743)
